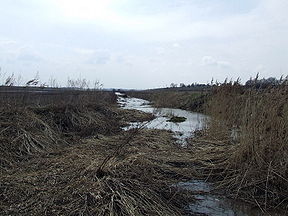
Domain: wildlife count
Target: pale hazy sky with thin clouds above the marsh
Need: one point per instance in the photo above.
(143, 43)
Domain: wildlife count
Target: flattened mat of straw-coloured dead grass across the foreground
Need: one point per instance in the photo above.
(65, 182)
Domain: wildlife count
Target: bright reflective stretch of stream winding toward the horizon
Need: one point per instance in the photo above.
(182, 130)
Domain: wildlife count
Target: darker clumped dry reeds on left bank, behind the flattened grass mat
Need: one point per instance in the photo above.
(50, 120)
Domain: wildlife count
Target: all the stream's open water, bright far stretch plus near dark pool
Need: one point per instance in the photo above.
(207, 203)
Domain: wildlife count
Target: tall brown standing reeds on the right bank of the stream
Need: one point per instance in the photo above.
(244, 149)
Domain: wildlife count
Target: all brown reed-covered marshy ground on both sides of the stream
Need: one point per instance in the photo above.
(67, 154)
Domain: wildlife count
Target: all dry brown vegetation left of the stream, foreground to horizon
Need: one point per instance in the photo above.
(64, 153)
